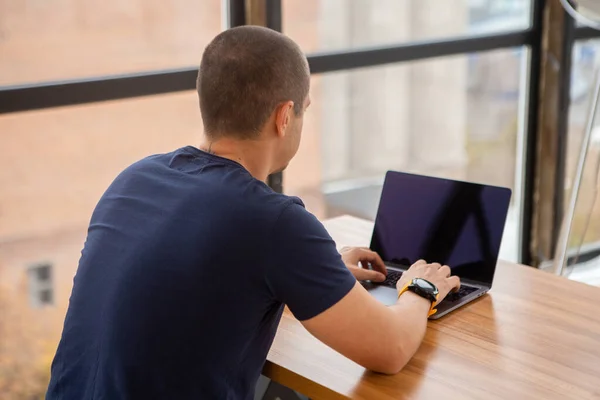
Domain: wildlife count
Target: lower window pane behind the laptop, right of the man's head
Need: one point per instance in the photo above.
(455, 117)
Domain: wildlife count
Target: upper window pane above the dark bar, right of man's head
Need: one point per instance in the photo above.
(321, 25)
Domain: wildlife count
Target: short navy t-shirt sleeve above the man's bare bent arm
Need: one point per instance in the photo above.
(305, 272)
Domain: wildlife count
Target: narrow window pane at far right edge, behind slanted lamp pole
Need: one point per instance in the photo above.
(585, 228)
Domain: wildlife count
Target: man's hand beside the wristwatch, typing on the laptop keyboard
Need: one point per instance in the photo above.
(435, 273)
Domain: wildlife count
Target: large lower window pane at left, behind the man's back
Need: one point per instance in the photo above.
(55, 165)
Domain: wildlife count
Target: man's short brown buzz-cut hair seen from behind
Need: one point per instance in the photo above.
(244, 74)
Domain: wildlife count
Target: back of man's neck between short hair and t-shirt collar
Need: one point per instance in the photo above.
(249, 153)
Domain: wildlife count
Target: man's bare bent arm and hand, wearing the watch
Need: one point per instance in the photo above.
(380, 338)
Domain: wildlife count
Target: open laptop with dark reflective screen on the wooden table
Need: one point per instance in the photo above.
(453, 223)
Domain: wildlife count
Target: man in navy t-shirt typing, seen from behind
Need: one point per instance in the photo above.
(191, 257)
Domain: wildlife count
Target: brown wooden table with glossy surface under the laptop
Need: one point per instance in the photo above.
(535, 336)
